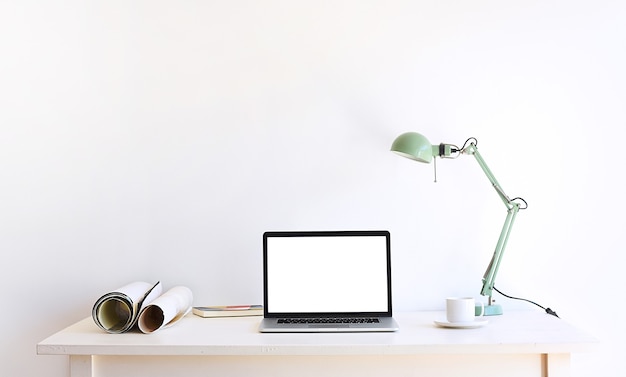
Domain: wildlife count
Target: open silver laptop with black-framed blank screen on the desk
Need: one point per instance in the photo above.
(327, 281)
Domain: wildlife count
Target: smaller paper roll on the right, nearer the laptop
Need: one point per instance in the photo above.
(165, 310)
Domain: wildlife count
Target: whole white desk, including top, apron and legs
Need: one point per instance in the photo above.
(516, 344)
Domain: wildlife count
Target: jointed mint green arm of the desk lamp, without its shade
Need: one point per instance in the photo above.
(512, 209)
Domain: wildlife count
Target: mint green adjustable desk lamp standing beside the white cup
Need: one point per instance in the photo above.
(416, 147)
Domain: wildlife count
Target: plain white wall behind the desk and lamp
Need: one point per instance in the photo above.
(145, 140)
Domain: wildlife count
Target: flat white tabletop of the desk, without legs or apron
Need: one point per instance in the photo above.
(514, 332)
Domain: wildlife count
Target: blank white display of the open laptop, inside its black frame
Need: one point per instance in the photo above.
(327, 274)
